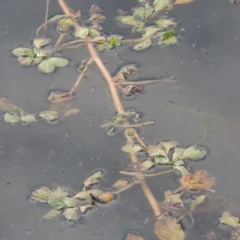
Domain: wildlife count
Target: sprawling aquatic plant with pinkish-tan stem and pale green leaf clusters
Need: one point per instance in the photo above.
(151, 28)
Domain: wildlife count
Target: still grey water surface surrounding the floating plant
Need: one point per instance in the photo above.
(205, 64)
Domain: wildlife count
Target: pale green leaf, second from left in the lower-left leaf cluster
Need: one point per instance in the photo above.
(56, 198)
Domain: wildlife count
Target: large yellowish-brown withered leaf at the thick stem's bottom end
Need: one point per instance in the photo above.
(168, 228)
